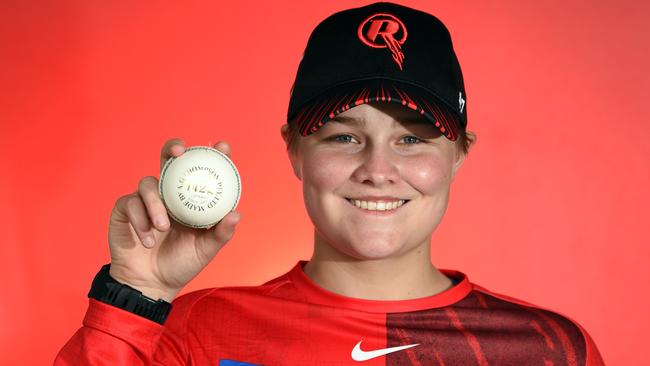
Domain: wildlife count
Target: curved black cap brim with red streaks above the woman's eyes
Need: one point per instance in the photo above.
(313, 115)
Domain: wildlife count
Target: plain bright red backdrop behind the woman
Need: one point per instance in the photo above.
(550, 207)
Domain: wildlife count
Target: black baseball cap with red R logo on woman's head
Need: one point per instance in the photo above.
(380, 52)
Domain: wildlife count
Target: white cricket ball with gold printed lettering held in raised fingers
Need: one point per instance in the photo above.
(200, 186)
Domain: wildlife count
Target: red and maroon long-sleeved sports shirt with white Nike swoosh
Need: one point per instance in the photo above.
(292, 321)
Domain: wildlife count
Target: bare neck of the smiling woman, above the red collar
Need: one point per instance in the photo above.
(407, 276)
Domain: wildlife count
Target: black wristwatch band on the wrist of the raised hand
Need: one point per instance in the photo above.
(106, 289)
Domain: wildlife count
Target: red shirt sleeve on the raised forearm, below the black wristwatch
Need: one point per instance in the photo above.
(113, 336)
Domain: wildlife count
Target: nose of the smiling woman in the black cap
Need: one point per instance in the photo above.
(378, 166)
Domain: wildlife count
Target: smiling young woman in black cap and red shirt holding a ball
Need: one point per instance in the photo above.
(376, 134)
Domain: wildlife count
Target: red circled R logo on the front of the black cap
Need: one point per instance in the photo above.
(389, 27)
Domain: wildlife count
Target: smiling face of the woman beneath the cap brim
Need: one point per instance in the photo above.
(376, 155)
